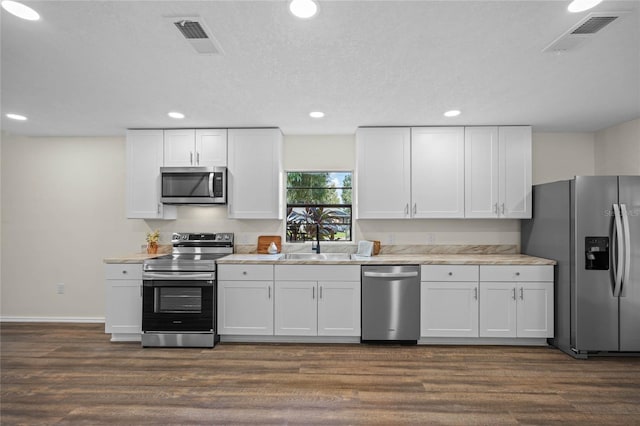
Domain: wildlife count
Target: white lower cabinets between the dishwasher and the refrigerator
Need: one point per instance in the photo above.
(486, 301)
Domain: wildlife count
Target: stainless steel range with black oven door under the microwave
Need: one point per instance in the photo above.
(179, 291)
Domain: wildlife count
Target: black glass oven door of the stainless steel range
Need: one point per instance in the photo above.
(178, 304)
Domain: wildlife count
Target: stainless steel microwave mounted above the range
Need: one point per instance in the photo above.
(193, 185)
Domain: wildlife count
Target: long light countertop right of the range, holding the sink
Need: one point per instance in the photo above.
(397, 259)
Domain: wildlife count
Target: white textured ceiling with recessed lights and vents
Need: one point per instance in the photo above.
(99, 67)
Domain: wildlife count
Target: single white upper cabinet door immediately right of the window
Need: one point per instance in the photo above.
(383, 173)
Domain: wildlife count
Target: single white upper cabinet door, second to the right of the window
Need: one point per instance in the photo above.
(437, 172)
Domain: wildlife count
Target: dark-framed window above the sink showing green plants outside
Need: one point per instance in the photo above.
(319, 201)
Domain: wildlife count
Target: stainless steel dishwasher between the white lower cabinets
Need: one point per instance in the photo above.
(391, 303)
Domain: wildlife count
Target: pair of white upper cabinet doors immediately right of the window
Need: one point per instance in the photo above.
(410, 173)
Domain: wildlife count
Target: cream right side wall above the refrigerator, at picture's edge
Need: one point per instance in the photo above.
(617, 149)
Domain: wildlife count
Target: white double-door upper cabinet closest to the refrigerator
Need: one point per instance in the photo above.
(498, 172)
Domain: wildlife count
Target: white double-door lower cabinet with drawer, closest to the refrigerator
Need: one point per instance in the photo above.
(516, 301)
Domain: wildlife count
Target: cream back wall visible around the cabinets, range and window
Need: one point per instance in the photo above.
(63, 211)
